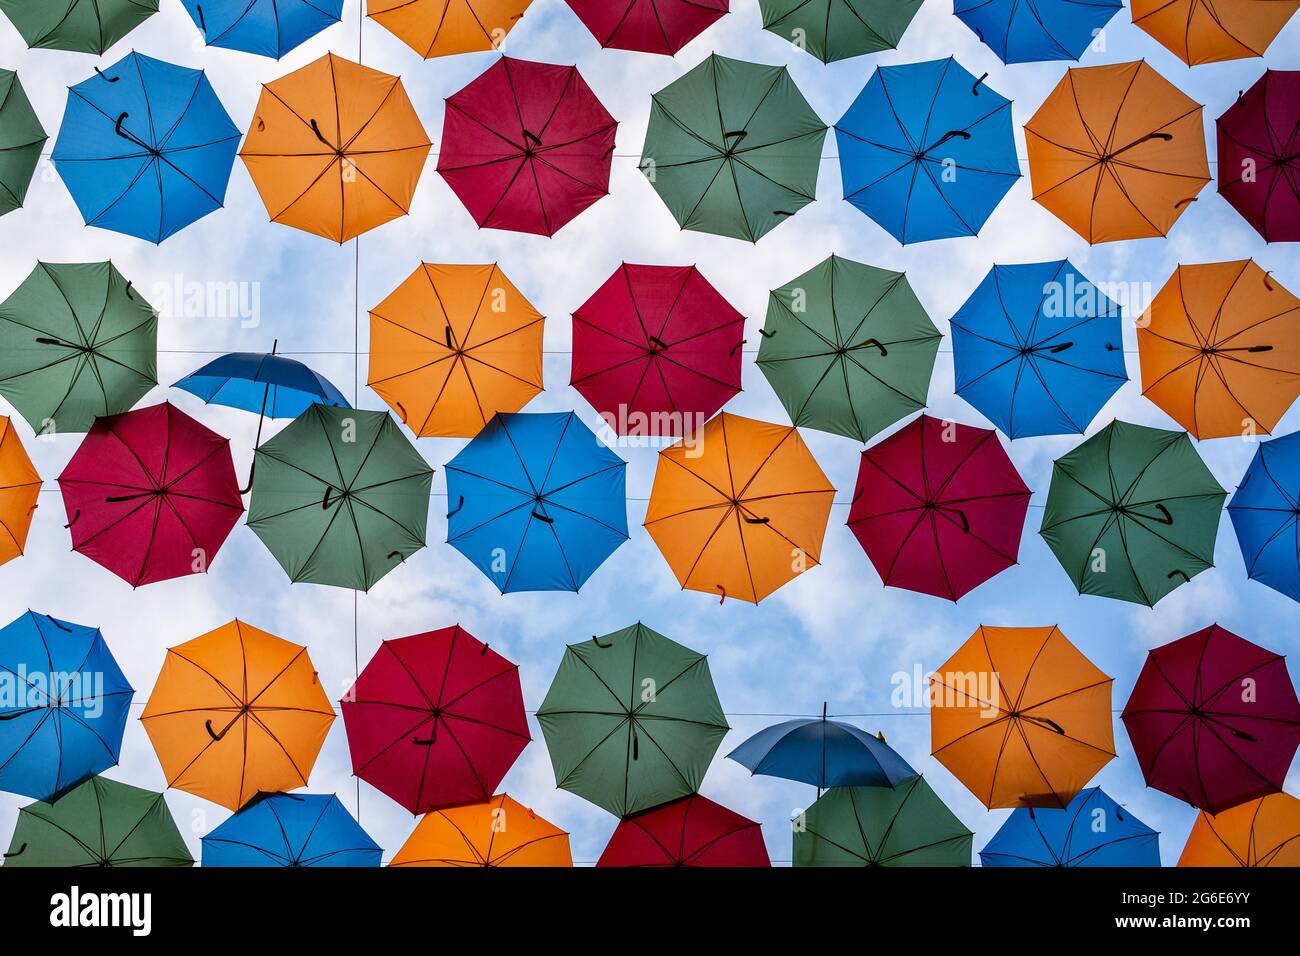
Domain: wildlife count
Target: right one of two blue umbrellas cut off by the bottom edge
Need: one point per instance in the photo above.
(1094, 830)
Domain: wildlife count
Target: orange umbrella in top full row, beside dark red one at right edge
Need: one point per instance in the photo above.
(1117, 153)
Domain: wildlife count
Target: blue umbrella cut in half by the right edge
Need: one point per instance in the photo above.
(1267, 516)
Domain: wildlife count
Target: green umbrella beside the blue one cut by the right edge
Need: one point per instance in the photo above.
(1133, 513)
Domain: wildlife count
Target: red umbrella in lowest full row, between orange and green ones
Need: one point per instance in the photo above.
(436, 720)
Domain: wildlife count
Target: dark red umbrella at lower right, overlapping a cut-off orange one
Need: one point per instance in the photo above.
(1215, 720)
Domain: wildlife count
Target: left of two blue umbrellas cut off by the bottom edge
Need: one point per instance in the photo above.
(292, 830)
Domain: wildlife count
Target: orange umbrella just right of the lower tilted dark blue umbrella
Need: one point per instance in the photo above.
(1021, 717)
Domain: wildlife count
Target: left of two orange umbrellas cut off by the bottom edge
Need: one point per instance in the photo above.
(492, 833)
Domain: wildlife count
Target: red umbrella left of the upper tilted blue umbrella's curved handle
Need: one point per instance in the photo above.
(151, 495)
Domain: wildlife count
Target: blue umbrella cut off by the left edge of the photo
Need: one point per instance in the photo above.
(63, 706)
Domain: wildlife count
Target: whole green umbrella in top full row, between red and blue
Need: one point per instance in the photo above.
(734, 149)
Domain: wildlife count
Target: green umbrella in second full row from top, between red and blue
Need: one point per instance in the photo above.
(848, 349)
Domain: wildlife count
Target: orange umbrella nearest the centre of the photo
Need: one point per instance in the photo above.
(740, 508)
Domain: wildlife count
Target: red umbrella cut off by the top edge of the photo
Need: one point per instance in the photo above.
(648, 27)
